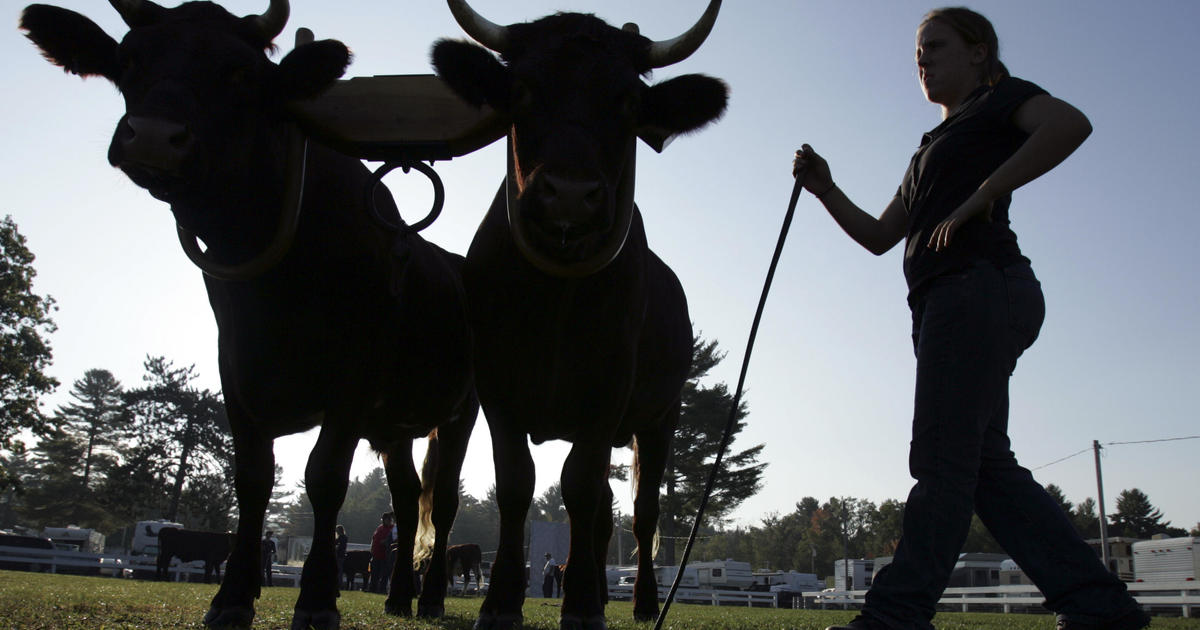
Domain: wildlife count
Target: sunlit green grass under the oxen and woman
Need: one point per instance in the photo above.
(69, 603)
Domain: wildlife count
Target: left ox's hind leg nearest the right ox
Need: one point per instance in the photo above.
(449, 449)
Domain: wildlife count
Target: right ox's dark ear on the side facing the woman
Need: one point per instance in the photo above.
(685, 104)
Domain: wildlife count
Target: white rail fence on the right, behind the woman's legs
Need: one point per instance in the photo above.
(1155, 596)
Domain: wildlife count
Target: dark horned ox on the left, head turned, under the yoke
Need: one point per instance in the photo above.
(326, 317)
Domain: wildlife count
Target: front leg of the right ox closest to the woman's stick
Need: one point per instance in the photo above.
(586, 496)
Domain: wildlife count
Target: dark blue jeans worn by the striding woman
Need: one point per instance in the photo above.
(969, 331)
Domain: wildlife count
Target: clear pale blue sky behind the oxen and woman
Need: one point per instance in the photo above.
(1111, 232)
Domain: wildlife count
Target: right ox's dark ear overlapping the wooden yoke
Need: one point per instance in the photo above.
(472, 73)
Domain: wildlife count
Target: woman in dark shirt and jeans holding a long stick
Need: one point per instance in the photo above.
(976, 308)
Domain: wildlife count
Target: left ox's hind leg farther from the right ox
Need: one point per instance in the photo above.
(406, 493)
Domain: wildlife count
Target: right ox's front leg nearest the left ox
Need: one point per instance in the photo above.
(514, 494)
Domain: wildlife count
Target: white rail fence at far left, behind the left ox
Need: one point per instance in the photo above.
(116, 566)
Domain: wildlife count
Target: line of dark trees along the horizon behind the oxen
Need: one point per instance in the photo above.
(116, 455)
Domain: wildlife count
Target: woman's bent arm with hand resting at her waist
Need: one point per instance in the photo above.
(1055, 129)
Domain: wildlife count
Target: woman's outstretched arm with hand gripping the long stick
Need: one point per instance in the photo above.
(878, 236)
